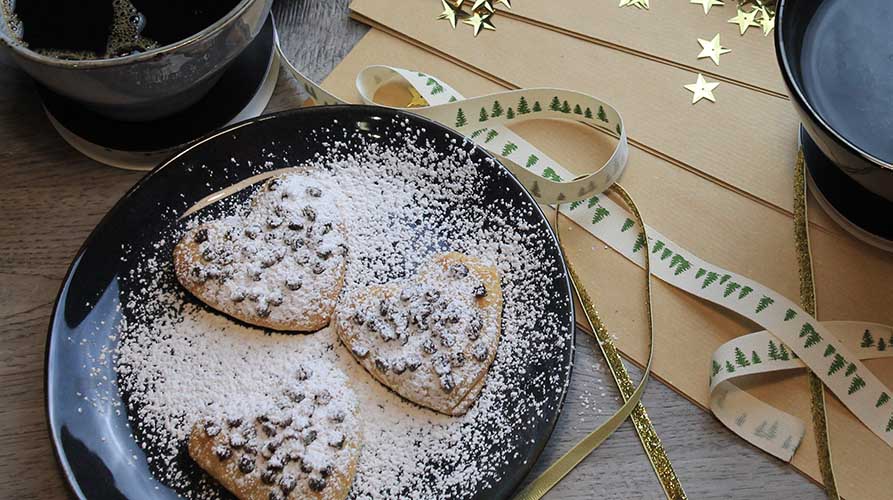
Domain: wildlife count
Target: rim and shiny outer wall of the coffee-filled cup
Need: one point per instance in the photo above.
(152, 84)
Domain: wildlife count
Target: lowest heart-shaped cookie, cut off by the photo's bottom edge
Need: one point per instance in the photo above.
(305, 447)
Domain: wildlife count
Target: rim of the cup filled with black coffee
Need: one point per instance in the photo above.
(19, 48)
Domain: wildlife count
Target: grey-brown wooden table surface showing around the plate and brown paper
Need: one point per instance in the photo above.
(52, 197)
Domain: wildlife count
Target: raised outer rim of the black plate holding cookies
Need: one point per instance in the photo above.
(70, 480)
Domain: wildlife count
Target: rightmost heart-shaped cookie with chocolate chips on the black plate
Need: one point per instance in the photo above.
(431, 338)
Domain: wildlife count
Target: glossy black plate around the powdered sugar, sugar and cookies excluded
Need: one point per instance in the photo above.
(85, 315)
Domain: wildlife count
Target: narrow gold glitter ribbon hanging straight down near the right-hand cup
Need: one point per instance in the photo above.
(808, 302)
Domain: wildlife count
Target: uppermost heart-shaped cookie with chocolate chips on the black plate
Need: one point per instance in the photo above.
(278, 264)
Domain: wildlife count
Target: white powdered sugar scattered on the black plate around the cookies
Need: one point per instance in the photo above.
(402, 200)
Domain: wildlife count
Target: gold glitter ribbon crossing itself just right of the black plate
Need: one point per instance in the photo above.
(632, 406)
